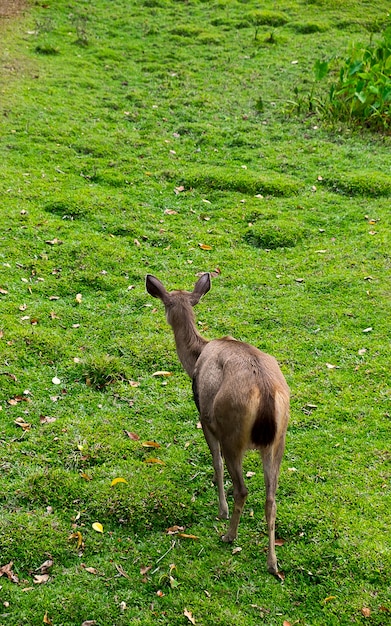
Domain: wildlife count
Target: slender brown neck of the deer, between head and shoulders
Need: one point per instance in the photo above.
(189, 343)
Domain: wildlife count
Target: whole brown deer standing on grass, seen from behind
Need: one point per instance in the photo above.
(242, 398)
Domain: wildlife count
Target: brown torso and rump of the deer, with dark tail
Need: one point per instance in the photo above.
(236, 384)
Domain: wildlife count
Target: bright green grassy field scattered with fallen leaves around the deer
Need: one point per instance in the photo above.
(157, 136)
